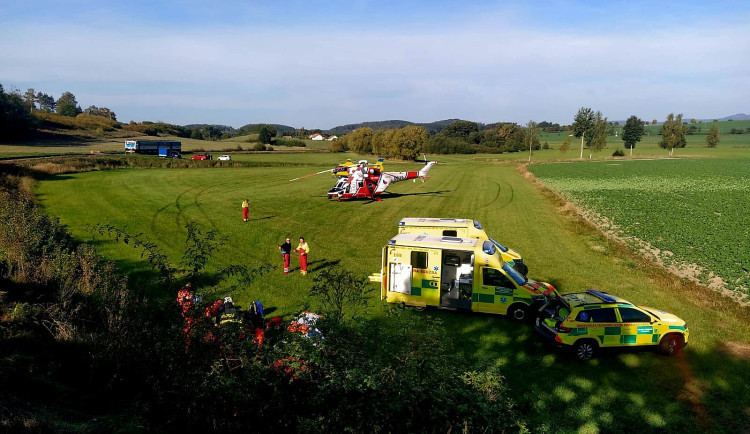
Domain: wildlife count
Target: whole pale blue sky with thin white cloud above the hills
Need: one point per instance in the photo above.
(320, 64)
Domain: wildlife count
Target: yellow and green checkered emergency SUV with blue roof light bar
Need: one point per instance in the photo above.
(587, 321)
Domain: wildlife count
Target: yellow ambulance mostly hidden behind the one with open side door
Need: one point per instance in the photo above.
(464, 228)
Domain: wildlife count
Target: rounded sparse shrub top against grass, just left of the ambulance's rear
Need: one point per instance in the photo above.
(339, 289)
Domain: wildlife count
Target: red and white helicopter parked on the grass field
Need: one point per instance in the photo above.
(370, 182)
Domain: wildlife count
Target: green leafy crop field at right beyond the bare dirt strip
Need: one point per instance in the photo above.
(693, 211)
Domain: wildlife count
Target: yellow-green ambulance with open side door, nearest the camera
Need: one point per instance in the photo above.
(455, 273)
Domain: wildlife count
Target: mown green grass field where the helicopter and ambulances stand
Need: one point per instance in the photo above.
(704, 389)
